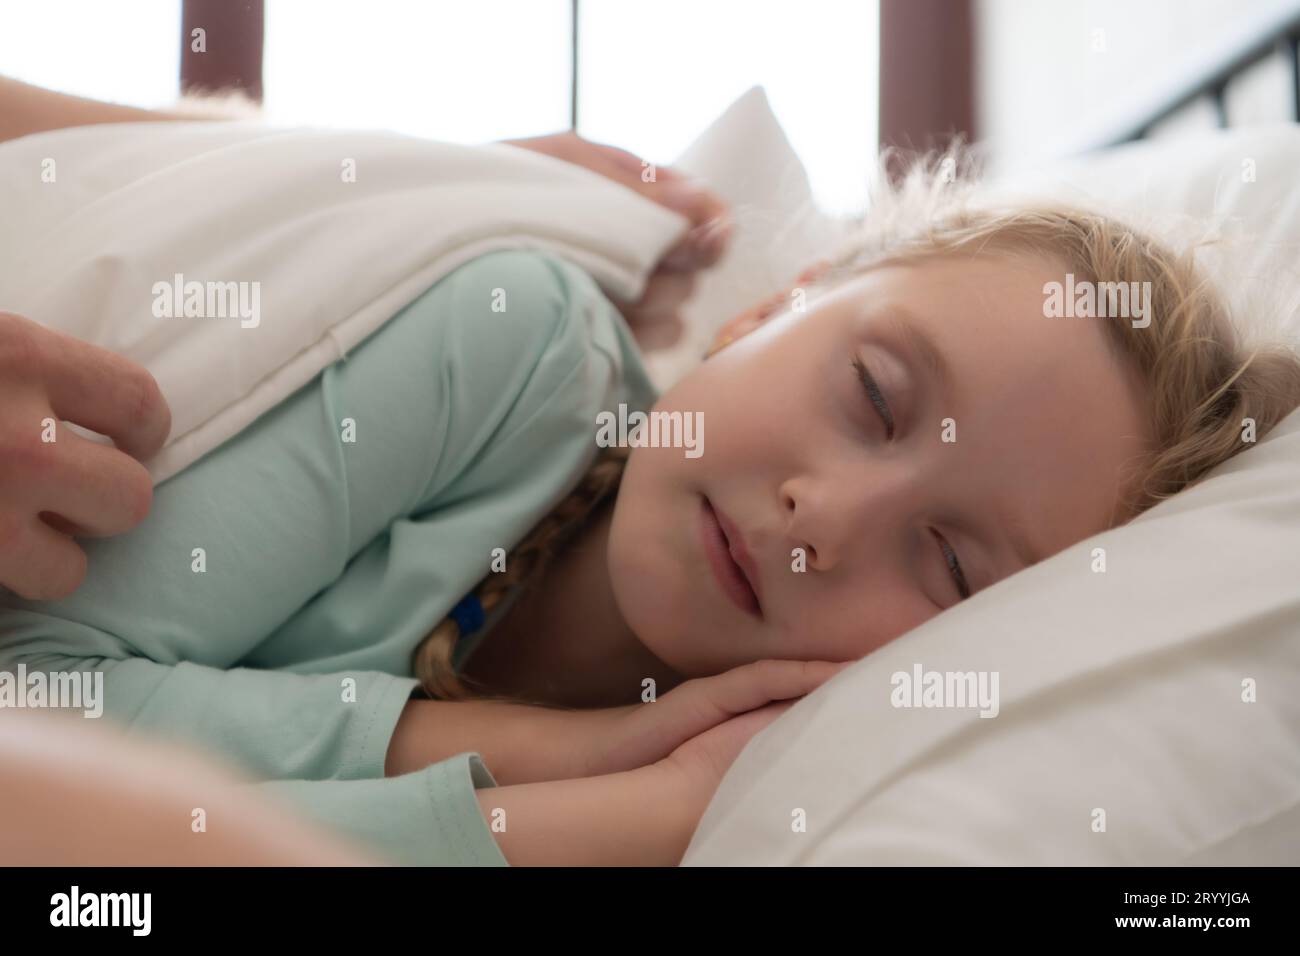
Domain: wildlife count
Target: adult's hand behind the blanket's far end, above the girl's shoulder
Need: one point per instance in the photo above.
(656, 318)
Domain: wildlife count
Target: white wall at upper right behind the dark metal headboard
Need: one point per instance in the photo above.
(1055, 75)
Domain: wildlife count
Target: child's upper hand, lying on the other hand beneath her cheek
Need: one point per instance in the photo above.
(643, 734)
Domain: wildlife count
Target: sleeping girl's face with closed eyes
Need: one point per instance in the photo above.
(1041, 419)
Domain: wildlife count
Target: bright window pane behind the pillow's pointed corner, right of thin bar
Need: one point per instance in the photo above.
(655, 75)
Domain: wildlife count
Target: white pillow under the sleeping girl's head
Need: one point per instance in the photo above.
(1123, 694)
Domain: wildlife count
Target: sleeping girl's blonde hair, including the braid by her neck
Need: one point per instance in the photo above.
(1198, 378)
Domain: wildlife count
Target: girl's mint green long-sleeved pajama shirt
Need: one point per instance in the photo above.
(326, 563)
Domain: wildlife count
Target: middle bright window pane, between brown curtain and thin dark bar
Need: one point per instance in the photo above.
(463, 72)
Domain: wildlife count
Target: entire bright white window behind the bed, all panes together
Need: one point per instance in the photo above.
(652, 76)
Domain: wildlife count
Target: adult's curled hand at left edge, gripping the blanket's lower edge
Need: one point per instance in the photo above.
(54, 483)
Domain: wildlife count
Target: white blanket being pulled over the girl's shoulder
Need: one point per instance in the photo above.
(327, 235)
